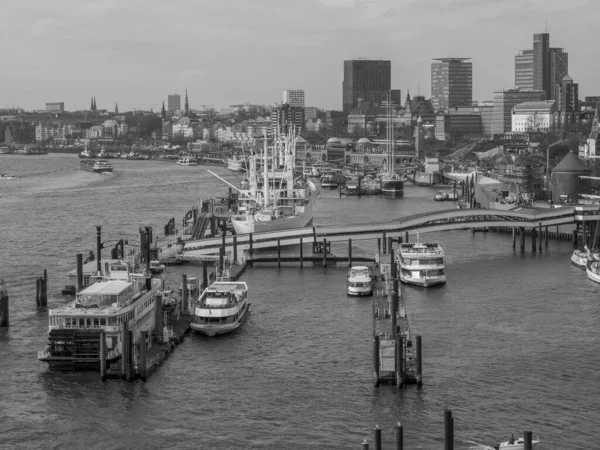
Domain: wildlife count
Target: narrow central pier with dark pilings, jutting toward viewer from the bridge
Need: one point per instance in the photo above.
(397, 355)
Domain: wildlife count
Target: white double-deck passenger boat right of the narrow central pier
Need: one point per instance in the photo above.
(422, 264)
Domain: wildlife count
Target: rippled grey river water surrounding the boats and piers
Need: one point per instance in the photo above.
(510, 343)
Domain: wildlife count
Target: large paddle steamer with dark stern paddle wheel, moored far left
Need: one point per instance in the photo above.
(118, 295)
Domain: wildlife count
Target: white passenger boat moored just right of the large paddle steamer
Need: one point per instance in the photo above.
(222, 308)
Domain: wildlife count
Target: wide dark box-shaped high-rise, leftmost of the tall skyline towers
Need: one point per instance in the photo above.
(365, 79)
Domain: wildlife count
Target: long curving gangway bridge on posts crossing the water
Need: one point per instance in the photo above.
(445, 220)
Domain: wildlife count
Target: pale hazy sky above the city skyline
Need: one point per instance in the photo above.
(135, 52)
